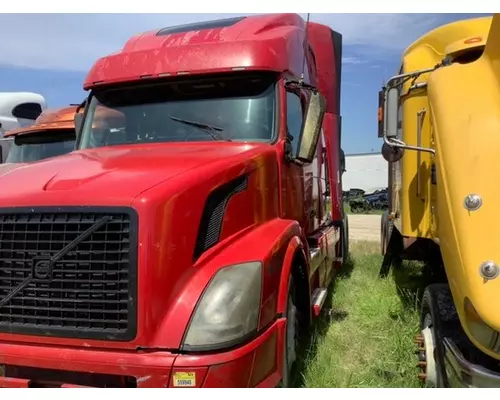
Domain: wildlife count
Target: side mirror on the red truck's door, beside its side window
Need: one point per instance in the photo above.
(311, 128)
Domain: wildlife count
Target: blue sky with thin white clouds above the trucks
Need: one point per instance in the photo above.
(50, 54)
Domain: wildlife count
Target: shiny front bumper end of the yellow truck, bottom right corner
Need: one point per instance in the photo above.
(463, 374)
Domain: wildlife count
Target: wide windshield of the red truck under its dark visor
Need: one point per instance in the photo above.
(226, 108)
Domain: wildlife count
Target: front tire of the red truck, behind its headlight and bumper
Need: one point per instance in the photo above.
(290, 352)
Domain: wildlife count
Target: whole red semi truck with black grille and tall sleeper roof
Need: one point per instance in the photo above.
(193, 234)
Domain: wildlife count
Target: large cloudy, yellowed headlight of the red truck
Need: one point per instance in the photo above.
(228, 310)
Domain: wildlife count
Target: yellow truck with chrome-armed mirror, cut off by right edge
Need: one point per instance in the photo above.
(439, 119)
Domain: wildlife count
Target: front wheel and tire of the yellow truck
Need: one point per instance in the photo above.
(437, 311)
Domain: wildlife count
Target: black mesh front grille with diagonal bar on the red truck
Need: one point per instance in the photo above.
(69, 272)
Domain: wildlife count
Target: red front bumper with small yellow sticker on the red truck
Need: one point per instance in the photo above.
(256, 364)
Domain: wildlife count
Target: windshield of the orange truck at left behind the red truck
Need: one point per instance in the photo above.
(27, 148)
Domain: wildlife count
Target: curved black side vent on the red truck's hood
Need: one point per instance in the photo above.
(213, 214)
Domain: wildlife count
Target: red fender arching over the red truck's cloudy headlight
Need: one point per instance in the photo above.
(268, 243)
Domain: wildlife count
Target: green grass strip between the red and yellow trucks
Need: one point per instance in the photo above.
(368, 341)
